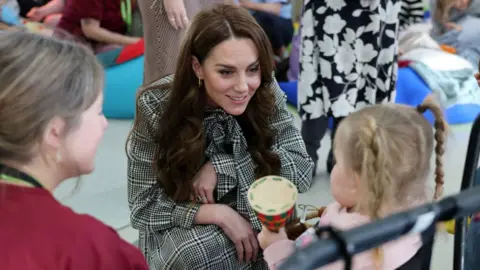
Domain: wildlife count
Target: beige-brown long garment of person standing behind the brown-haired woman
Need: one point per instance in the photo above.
(162, 41)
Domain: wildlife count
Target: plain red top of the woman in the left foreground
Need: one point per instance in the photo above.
(37, 232)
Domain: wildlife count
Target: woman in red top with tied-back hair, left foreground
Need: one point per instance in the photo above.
(51, 123)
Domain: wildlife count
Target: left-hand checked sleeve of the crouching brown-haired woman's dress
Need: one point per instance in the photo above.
(151, 209)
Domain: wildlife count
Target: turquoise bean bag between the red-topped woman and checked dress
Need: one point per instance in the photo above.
(121, 85)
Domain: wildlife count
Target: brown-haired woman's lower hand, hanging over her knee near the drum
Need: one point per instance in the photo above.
(239, 230)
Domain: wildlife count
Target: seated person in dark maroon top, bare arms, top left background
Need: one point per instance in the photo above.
(95, 22)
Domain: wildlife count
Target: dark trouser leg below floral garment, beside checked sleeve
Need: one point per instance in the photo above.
(313, 131)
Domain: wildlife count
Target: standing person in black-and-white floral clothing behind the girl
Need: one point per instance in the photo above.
(348, 60)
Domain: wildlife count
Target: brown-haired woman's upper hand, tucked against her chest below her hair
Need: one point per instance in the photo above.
(204, 184)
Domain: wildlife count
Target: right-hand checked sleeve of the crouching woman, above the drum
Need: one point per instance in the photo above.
(296, 164)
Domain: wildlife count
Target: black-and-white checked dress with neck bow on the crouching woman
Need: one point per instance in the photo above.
(168, 237)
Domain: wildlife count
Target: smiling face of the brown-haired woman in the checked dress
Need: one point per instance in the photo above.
(231, 74)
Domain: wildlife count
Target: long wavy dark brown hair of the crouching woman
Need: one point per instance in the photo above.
(181, 134)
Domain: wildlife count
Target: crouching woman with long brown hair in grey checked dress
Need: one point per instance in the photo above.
(202, 138)
